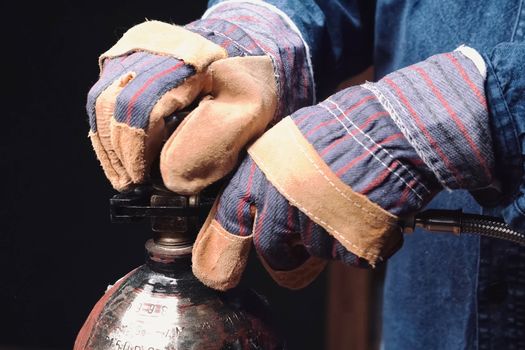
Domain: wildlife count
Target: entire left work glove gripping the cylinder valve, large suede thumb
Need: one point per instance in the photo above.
(238, 65)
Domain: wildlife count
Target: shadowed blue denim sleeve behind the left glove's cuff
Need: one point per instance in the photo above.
(338, 33)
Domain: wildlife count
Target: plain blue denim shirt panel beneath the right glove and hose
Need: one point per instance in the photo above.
(431, 287)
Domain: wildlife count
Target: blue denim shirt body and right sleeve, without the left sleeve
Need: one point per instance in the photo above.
(445, 292)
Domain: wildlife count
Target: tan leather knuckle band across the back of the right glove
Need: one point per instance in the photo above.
(293, 166)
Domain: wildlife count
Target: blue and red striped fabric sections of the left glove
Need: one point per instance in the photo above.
(243, 30)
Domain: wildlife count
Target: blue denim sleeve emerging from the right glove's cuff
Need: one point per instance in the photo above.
(505, 90)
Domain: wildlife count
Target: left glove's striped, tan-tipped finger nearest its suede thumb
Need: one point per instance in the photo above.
(137, 130)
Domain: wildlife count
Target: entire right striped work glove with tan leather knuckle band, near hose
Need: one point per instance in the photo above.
(332, 181)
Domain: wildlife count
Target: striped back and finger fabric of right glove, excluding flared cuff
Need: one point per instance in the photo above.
(356, 137)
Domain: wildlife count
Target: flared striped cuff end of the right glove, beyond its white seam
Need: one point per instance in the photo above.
(440, 106)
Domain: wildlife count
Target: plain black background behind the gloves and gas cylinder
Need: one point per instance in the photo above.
(58, 250)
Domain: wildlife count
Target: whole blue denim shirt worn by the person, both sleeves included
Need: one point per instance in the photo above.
(441, 291)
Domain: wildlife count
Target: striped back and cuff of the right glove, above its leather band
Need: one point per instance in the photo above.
(399, 140)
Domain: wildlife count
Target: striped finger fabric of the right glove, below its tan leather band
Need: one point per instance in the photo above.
(282, 235)
